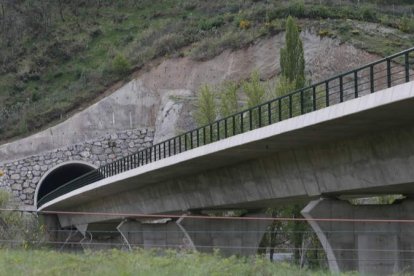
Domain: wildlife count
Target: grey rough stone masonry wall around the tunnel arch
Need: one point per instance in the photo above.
(21, 177)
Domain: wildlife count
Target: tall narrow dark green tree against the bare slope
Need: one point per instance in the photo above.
(292, 61)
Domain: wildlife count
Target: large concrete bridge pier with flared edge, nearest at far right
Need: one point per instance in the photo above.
(370, 242)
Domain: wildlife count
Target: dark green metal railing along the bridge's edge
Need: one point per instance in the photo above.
(376, 76)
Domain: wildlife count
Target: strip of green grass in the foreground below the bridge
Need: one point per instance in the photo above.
(13, 262)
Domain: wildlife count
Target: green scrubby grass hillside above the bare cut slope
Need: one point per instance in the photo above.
(68, 56)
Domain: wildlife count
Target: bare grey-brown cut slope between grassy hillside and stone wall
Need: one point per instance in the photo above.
(162, 98)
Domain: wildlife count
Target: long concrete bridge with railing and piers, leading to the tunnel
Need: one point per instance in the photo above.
(348, 136)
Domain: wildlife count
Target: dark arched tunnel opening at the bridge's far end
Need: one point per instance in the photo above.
(60, 176)
